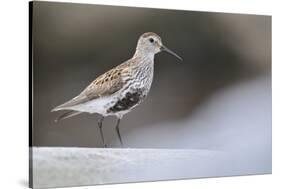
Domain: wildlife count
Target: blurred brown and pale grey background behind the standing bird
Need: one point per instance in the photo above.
(219, 97)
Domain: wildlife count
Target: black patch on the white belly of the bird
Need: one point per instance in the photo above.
(130, 100)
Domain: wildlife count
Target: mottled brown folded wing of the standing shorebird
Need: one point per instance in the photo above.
(104, 85)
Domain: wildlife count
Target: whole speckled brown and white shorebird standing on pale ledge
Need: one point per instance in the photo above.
(120, 89)
